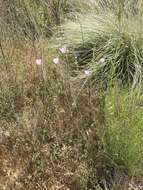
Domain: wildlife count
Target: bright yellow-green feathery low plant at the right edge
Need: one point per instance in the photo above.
(124, 128)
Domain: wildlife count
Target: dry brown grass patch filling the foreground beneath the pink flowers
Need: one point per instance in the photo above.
(43, 136)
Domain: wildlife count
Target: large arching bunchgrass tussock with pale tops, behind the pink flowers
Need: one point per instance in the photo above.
(119, 42)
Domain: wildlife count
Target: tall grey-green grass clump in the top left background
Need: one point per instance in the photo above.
(33, 19)
